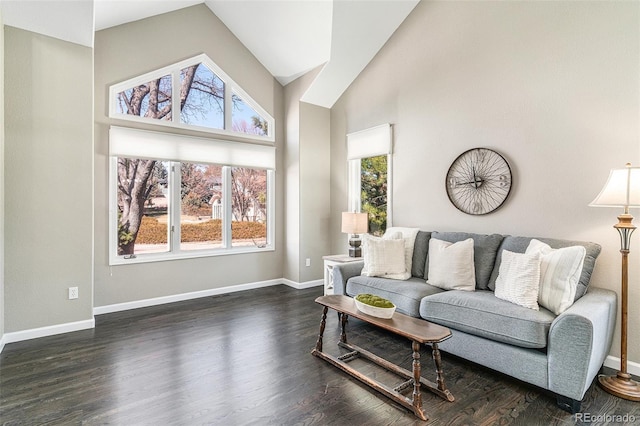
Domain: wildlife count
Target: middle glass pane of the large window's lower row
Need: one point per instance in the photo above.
(200, 206)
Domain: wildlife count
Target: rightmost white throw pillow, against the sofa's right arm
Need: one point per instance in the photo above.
(560, 271)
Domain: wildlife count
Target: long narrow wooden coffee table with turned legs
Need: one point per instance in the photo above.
(417, 330)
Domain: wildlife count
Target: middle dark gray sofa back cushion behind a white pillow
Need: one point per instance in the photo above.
(485, 248)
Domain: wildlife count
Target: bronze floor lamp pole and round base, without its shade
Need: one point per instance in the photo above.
(621, 385)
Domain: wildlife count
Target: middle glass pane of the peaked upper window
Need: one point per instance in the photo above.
(201, 97)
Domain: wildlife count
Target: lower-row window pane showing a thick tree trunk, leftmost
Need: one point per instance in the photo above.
(143, 206)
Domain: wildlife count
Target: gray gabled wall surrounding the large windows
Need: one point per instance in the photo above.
(133, 49)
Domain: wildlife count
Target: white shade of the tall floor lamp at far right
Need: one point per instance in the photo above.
(621, 190)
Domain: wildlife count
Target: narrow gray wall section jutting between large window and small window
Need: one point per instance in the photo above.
(307, 190)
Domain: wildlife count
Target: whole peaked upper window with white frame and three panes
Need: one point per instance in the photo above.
(208, 100)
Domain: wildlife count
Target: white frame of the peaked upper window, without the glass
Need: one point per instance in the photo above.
(231, 87)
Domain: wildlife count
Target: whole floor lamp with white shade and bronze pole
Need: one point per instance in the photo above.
(622, 190)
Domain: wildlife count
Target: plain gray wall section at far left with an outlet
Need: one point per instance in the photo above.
(48, 180)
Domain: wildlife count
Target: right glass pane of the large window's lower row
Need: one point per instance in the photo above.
(249, 207)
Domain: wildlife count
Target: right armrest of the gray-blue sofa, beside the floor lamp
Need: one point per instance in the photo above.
(579, 341)
